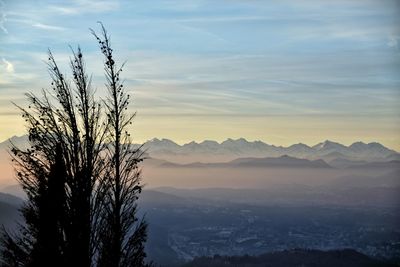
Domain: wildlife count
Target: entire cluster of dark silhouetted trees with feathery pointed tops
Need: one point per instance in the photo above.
(80, 175)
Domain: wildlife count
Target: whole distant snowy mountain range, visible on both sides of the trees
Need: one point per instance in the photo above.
(230, 149)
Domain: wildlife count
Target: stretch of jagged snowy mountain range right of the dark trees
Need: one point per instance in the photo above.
(326, 150)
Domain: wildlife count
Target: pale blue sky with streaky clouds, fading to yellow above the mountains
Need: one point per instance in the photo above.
(282, 71)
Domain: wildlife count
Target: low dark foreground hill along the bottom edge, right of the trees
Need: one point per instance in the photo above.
(292, 258)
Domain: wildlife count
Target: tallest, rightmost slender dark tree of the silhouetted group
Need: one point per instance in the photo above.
(122, 243)
